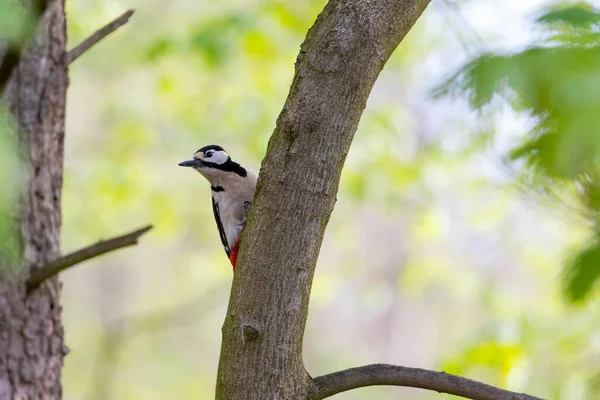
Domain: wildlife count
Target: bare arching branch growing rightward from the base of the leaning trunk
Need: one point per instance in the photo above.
(384, 374)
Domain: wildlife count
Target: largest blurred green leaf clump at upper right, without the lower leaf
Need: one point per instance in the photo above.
(559, 87)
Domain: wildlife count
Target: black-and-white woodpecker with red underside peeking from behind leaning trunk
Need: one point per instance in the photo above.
(232, 188)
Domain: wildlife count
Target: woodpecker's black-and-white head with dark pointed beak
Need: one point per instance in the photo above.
(214, 164)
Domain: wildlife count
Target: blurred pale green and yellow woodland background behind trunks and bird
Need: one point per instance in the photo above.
(464, 235)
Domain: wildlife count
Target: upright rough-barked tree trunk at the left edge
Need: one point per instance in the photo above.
(31, 332)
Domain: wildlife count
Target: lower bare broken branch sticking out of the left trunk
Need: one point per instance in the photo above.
(39, 275)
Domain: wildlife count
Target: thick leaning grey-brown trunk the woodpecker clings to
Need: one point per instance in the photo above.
(339, 61)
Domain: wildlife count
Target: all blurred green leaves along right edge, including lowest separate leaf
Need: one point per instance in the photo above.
(557, 84)
